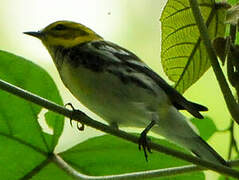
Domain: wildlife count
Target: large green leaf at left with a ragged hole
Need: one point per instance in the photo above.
(23, 144)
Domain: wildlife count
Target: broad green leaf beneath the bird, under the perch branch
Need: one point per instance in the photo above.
(107, 155)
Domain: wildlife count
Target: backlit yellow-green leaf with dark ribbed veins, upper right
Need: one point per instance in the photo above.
(183, 54)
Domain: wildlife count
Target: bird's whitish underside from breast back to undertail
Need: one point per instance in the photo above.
(125, 104)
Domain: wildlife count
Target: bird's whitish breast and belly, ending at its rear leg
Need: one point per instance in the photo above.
(115, 101)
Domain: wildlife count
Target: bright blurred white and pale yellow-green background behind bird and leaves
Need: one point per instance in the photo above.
(120, 21)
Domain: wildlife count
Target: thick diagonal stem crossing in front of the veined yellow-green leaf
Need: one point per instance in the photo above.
(228, 96)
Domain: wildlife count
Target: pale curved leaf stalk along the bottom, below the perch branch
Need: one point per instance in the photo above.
(135, 175)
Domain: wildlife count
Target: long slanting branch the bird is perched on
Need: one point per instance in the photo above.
(82, 118)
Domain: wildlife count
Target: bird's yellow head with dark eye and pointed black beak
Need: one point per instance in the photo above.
(65, 33)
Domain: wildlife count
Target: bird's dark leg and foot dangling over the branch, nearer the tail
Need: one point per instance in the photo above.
(143, 141)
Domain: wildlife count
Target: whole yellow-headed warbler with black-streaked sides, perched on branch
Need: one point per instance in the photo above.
(115, 84)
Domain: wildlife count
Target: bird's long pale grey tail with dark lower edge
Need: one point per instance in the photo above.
(175, 128)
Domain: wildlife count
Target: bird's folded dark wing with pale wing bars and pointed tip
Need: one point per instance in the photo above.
(113, 53)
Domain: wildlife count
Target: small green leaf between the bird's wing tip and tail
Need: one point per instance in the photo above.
(205, 126)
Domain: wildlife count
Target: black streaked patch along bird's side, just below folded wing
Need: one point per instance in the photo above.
(81, 56)
